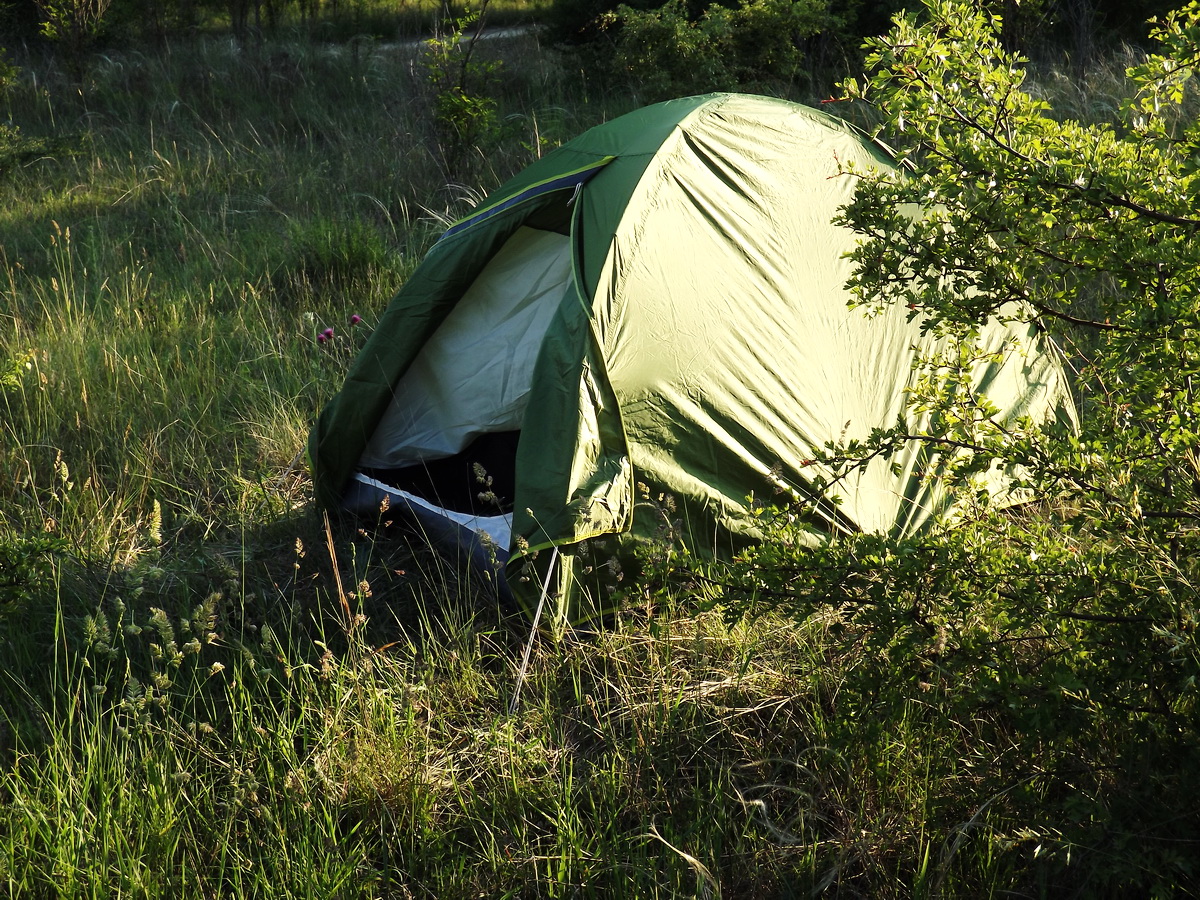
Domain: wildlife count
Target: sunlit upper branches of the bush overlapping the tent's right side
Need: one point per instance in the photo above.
(1090, 233)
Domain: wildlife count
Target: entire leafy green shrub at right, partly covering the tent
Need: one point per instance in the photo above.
(1064, 635)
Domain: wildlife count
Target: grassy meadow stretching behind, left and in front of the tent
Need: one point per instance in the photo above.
(209, 689)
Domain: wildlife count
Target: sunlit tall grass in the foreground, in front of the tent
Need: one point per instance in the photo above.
(686, 763)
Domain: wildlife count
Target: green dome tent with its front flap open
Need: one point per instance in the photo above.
(655, 310)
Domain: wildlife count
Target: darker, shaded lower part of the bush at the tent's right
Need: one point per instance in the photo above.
(1072, 671)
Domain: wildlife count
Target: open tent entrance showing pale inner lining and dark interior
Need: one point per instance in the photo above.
(446, 449)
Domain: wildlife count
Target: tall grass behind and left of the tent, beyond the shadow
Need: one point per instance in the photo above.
(209, 214)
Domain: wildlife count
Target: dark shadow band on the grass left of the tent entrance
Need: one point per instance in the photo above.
(149, 638)
